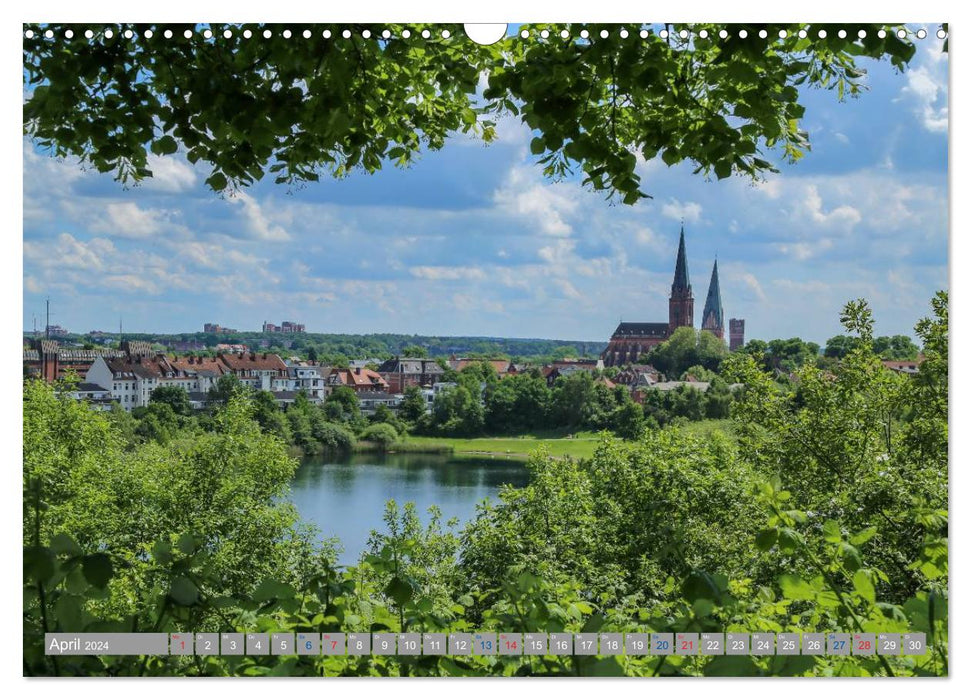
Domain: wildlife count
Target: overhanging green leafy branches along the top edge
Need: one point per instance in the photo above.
(295, 107)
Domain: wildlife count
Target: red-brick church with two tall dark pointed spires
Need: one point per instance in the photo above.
(631, 342)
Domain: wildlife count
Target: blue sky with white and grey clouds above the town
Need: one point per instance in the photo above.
(473, 241)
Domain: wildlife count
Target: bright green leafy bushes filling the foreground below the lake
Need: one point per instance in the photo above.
(827, 512)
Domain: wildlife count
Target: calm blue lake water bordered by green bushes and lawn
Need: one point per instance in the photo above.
(345, 498)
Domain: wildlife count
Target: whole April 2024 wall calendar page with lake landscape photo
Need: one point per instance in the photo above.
(541, 349)
